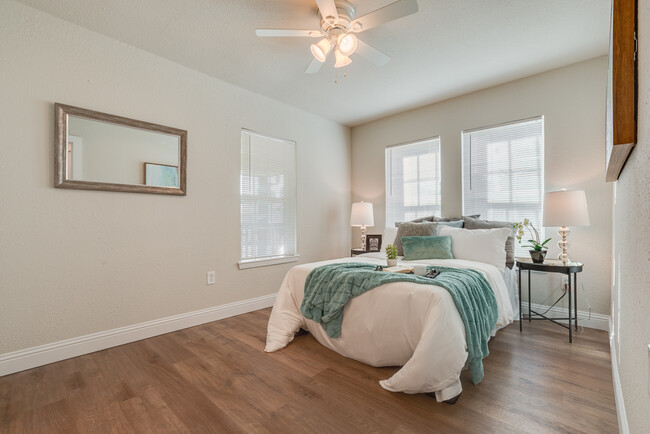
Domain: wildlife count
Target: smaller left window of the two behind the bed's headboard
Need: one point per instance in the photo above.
(412, 181)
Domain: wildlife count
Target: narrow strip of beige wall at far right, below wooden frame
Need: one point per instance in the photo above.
(631, 283)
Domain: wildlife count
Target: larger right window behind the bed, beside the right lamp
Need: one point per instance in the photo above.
(503, 172)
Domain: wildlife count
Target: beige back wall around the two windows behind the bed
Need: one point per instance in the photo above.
(572, 100)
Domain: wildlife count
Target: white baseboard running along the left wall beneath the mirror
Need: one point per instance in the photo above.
(43, 354)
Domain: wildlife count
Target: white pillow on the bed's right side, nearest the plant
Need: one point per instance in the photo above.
(481, 245)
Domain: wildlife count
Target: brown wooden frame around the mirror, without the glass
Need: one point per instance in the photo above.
(62, 112)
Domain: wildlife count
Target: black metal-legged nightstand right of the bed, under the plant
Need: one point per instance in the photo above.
(552, 266)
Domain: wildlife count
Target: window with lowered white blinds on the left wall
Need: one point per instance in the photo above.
(268, 200)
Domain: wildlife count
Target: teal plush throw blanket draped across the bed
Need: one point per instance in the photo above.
(328, 288)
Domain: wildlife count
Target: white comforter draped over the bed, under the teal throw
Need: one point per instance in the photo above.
(397, 324)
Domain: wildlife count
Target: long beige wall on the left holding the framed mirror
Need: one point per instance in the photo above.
(76, 262)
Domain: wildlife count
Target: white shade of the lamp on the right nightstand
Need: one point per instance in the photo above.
(565, 208)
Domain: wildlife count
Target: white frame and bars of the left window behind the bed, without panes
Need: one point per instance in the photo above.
(393, 190)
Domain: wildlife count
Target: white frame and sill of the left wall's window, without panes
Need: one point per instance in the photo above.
(247, 261)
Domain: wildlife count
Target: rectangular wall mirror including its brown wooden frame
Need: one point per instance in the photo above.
(98, 151)
